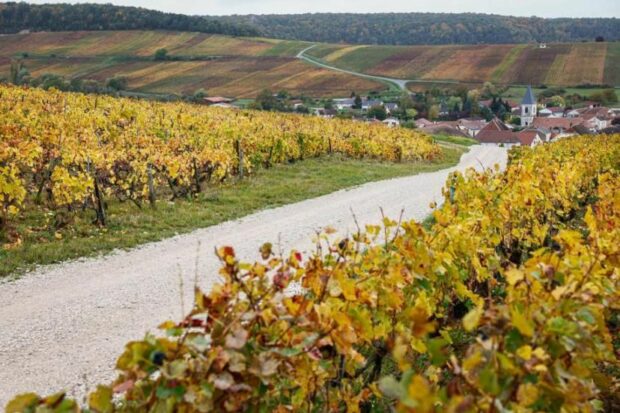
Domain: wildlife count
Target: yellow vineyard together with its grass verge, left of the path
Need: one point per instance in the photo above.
(82, 174)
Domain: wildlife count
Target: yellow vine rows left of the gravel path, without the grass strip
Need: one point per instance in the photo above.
(66, 153)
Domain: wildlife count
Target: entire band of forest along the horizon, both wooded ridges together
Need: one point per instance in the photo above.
(377, 28)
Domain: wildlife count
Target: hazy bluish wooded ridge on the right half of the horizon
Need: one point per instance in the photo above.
(429, 28)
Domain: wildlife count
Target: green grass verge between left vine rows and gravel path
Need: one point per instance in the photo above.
(130, 226)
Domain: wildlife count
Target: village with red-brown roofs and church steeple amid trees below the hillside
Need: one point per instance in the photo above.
(528, 122)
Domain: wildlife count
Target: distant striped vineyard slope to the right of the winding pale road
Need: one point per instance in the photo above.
(562, 64)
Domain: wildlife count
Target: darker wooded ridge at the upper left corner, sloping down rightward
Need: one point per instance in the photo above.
(15, 17)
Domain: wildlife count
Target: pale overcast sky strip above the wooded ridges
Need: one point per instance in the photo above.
(541, 8)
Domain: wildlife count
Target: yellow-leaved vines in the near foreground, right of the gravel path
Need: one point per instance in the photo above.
(508, 302)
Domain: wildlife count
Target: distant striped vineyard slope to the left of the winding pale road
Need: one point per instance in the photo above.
(238, 67)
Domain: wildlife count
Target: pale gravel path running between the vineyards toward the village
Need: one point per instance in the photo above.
(63, 326)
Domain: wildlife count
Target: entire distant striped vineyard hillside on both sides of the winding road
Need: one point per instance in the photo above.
(243, 66)
